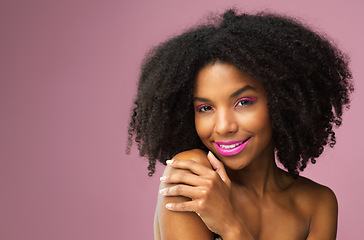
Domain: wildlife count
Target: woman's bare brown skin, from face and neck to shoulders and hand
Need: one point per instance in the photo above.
(244, 196)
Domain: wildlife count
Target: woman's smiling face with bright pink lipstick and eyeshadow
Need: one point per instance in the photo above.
(232, 117)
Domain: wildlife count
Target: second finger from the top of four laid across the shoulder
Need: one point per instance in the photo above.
(183, 177)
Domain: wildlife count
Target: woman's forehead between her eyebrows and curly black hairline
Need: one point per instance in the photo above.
(224, 77)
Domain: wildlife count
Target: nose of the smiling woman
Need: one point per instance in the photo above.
(225, 122)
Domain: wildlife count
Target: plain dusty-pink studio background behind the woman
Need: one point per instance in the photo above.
(68, 73)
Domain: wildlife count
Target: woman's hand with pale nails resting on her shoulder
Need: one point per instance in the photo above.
(209, 191)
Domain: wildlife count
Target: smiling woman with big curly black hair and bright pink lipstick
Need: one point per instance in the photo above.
(226, 100)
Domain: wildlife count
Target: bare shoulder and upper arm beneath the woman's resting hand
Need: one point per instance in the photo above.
(180, 225)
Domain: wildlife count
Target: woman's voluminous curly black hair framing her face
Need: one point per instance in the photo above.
(306, 77)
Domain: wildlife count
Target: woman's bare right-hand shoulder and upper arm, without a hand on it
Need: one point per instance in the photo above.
(320, 205)
